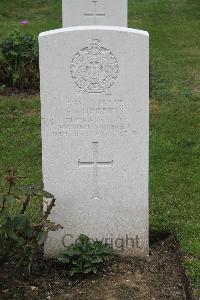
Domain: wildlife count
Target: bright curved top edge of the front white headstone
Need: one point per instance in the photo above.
(85, 28)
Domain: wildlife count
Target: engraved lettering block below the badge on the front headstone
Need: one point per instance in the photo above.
(97, 118)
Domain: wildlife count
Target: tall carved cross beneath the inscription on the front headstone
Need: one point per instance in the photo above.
(95, 163)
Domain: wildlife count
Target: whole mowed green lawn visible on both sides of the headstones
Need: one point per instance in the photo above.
(174, 28)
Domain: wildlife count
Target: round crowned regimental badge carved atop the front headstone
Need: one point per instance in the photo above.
(94, 69)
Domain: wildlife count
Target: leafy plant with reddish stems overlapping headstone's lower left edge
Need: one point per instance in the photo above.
(21, 238)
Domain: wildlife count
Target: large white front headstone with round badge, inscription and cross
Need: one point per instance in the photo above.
(95, 134)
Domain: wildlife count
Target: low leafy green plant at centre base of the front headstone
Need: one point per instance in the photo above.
(85, 256)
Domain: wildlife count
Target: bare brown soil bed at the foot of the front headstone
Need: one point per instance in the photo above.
(158, 277)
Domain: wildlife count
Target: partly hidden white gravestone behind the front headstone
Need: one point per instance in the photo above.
(95, 12)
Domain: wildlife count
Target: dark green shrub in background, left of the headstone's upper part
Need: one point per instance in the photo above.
(19, 61)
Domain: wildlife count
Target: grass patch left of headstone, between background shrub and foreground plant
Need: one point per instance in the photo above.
(20, 145)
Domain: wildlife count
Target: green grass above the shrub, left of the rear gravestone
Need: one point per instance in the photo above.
(42, 15)
